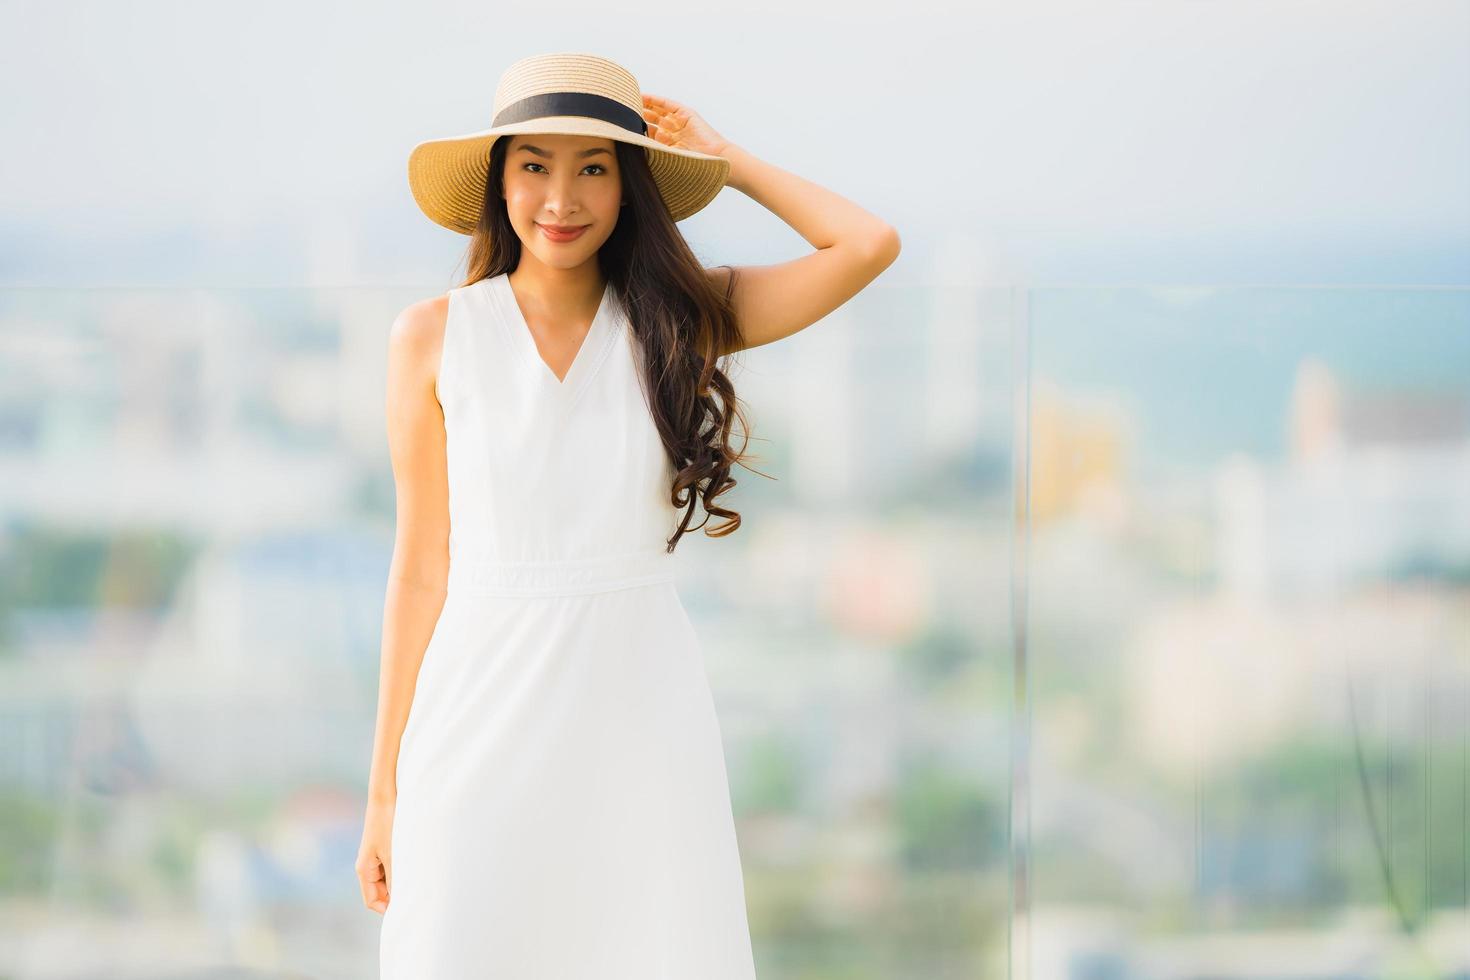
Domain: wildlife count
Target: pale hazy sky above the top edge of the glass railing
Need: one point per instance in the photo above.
(1147, 142)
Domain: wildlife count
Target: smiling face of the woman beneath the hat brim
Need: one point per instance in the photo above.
(558, 180)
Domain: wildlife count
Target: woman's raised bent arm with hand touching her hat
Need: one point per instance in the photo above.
(852, 245)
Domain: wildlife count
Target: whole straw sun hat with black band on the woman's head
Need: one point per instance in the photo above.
(565, 93)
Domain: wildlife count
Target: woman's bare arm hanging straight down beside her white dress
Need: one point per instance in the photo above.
(418, 575)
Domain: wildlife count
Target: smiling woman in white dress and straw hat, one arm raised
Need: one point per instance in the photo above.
(549, 794)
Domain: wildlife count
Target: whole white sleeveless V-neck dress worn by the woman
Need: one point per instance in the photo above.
(564, 809)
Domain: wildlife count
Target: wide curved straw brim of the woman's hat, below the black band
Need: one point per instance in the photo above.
(448, 176)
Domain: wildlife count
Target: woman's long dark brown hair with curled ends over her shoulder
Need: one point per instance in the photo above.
(680, 321)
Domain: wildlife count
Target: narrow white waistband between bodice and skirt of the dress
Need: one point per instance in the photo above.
(561, 577)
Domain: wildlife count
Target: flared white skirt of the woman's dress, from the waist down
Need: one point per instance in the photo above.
(562, 799)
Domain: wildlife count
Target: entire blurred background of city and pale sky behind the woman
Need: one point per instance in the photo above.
(1106, 615)
